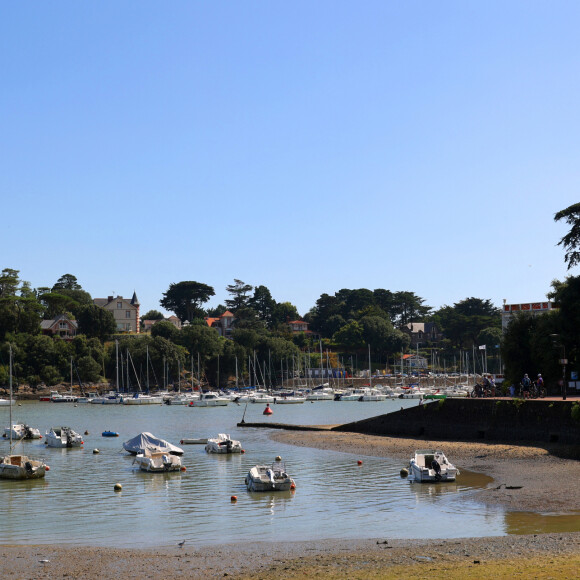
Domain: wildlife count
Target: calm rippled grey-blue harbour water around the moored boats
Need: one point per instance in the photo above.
(335, 497)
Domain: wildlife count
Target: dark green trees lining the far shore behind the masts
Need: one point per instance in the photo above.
(345, 323)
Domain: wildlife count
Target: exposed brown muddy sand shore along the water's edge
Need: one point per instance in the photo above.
(526, 478)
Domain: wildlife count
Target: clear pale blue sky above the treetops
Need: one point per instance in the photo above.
(304, 146)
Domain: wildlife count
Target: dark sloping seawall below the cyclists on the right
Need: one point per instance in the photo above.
(479, 419)
